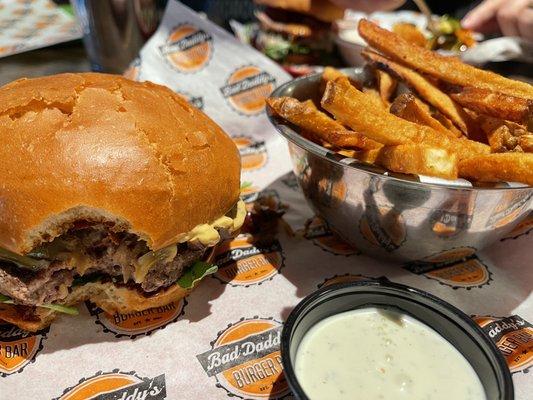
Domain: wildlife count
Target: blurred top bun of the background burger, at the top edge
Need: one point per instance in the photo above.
(323, 10)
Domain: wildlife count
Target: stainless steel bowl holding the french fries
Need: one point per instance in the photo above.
(395, 216)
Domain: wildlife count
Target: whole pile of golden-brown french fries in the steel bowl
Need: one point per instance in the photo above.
(455, 121)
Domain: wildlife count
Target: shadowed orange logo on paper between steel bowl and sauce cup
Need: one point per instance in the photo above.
(458, 268)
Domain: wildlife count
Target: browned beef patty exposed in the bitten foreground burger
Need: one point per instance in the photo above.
(99, 252)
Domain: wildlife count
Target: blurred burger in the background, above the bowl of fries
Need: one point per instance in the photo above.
(296, 31)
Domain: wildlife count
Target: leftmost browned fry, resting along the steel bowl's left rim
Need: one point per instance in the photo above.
(306, 116)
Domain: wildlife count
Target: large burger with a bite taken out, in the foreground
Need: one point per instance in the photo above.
(111, 191)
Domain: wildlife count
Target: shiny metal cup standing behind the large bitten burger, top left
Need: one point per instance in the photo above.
(115, 30)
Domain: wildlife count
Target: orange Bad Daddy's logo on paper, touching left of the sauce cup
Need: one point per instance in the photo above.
(245, 359)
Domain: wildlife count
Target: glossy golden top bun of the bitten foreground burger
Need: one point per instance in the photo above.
(101, 147)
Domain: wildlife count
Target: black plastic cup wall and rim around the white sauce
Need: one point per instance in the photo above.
(450, 322)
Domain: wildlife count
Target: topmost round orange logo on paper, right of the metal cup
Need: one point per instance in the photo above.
(188, 48)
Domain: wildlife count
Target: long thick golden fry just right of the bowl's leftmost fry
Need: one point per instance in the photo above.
(341, 99)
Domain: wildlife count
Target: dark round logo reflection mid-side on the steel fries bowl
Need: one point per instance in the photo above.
(383, 227)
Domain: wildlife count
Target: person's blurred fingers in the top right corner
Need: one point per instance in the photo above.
(510, 17)
